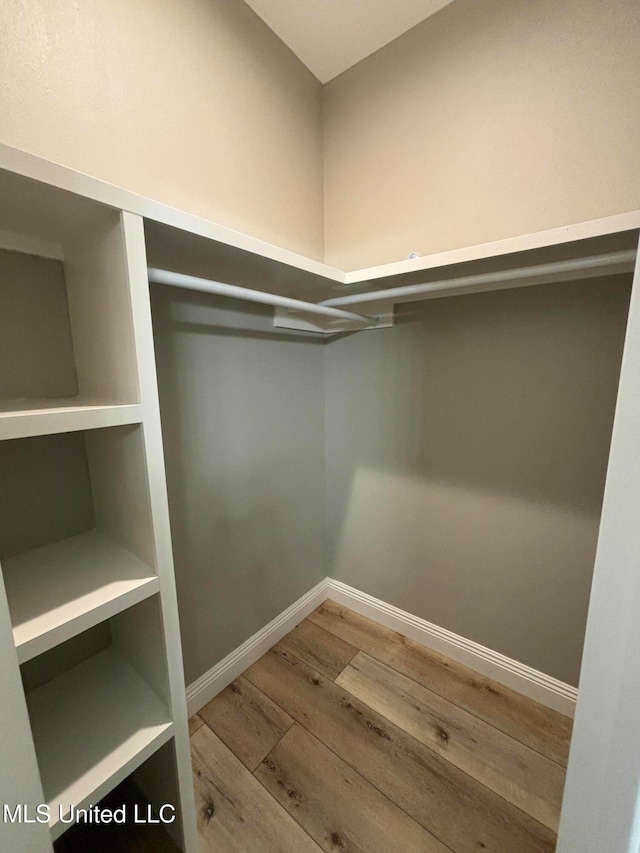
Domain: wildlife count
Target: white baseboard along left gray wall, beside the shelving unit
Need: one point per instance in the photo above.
(223, 673)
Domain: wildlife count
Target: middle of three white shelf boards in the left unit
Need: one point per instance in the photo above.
(62, 589)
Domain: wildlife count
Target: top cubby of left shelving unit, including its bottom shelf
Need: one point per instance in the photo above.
(68, 355)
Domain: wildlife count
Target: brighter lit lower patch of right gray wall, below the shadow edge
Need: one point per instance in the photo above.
(510, 574)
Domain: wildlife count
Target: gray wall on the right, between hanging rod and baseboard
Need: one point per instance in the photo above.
(466, 453)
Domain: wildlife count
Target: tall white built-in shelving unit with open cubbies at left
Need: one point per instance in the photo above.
(90, 654)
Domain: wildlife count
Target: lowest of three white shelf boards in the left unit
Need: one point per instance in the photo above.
(93, 726)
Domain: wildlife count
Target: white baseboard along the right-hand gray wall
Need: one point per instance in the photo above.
(524, 679)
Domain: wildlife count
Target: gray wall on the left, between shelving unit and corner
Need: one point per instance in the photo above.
(243, 417)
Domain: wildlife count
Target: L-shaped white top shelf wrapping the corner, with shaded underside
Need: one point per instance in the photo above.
(187, 243)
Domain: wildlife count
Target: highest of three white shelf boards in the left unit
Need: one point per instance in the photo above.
(25, 418)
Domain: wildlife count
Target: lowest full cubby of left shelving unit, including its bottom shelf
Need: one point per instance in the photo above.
(98, 709)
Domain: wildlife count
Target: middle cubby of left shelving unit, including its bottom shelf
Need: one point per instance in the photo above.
(75, 532)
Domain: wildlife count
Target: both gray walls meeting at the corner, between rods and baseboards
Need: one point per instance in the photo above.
(464, 452)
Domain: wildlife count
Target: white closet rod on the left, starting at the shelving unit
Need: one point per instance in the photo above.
(219, 288)
